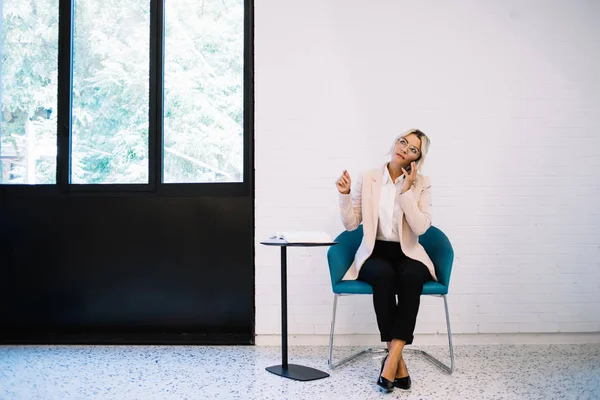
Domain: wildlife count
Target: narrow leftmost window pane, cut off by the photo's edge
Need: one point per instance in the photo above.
(28, 88)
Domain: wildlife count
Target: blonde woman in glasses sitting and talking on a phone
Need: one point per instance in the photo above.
(393, 203)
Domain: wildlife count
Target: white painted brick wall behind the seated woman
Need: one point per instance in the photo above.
(509, 92)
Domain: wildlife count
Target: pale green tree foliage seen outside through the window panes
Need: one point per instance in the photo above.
(203, 88)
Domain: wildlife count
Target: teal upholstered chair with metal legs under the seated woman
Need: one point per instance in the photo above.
(341, 256)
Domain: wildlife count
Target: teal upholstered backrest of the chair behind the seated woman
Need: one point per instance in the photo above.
(434, 241)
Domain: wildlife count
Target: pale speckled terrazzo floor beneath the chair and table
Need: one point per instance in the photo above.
(238, 372)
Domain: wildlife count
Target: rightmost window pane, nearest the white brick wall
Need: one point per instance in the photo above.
(204, 91)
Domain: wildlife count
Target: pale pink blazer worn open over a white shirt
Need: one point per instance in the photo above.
(362, 205)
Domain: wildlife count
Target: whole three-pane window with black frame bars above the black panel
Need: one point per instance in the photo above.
(152, 102)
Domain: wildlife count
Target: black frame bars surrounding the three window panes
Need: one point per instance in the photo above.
(155, 185)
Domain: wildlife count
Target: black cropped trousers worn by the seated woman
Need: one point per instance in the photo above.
(390, 272)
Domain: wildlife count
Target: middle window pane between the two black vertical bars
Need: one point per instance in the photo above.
(110, 92)
